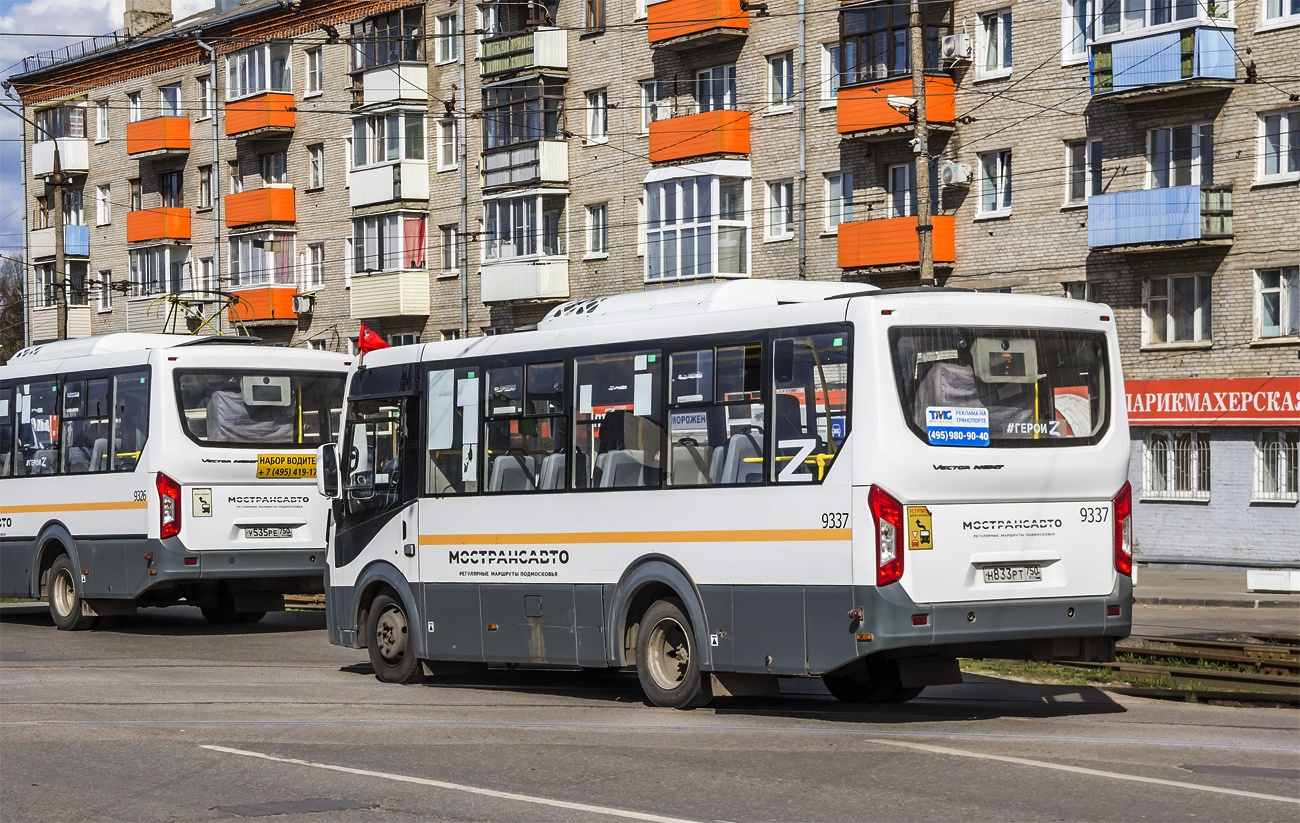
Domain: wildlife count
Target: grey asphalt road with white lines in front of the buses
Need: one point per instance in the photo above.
(166, 718)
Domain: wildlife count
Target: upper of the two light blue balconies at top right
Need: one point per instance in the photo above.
(1164, 66)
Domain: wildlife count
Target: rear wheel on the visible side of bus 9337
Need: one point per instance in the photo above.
(668, 660)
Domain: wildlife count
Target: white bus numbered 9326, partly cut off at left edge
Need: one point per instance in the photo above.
(142, 470)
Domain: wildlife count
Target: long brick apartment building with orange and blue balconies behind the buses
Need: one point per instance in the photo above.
(454, 170)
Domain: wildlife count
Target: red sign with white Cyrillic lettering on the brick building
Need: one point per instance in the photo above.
(1215, 401)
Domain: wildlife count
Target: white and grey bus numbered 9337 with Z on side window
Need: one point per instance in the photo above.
(718, 486)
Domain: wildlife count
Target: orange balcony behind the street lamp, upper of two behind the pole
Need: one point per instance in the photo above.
(865, 112)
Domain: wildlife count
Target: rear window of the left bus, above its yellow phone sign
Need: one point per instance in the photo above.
(237, 409)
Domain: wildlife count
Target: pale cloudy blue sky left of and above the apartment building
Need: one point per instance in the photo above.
(38, 27)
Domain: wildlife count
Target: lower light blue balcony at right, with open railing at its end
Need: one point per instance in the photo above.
(1162, 219)
